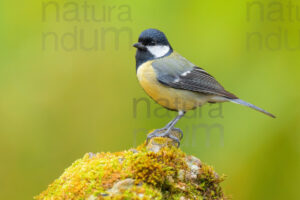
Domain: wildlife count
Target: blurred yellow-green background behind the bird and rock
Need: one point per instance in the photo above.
(59, 100)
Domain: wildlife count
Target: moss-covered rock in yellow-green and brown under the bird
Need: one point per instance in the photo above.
(158, 170)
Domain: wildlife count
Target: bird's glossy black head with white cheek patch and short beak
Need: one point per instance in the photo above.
(152, 44)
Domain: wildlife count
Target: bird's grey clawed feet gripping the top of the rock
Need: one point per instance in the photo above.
(164, 132)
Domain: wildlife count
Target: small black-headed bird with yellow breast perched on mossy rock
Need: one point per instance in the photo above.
(174, 82)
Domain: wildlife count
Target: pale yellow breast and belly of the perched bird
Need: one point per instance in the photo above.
(174, 99)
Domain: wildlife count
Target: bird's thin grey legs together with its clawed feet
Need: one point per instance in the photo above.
(169, 127)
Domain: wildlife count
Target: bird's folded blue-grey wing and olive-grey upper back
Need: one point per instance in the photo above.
(177, 72)
